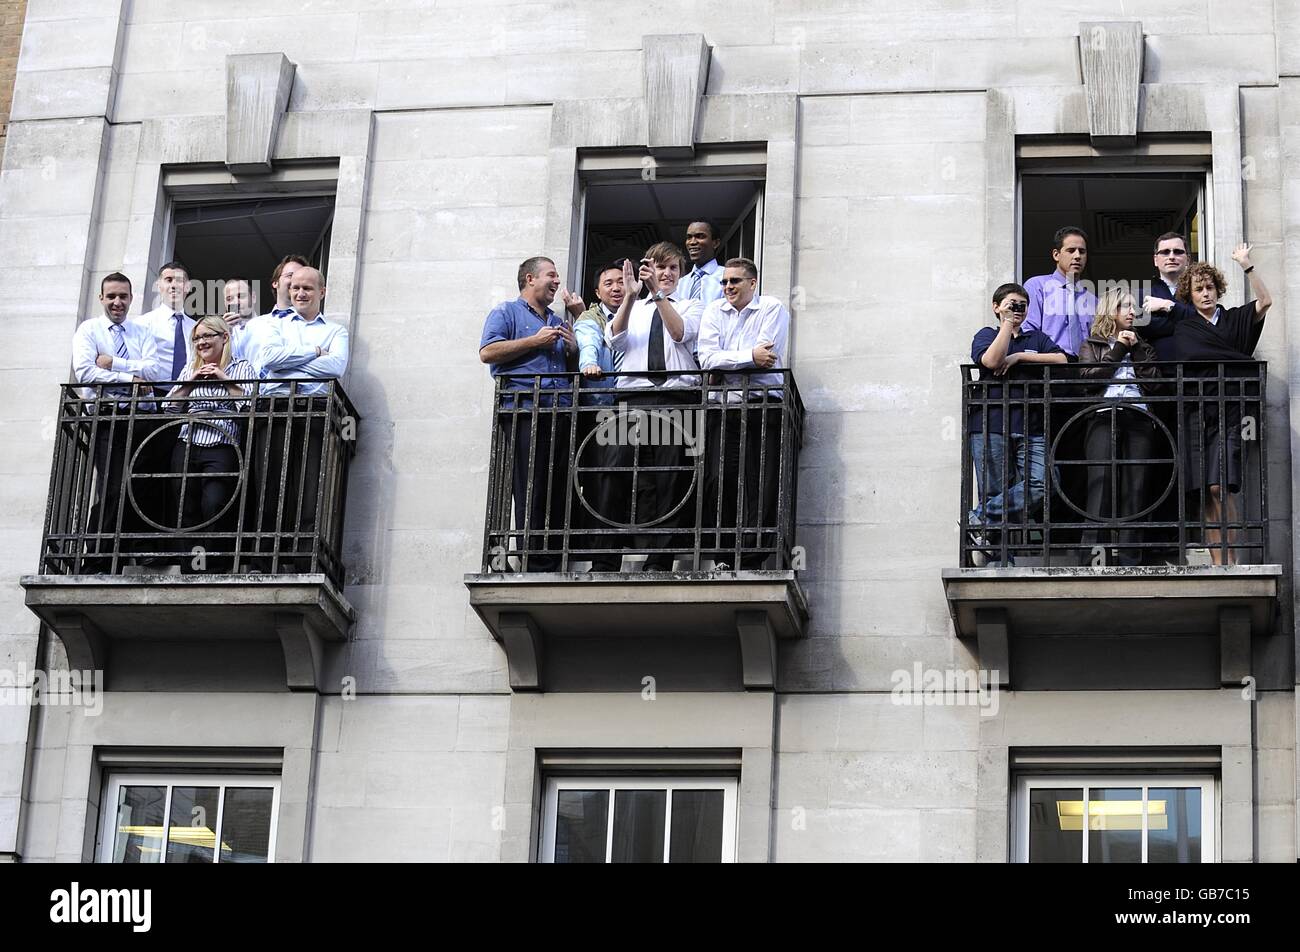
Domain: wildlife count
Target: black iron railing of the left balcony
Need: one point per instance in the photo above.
(142, 483)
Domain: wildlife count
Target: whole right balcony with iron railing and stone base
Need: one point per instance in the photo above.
(1113, 529)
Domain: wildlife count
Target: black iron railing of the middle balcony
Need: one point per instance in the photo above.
(704, 477)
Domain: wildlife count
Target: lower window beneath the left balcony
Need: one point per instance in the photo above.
(174, 819)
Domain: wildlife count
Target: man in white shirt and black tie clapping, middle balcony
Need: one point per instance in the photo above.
(657, 334)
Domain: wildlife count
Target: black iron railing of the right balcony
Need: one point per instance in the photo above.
(1058, 473)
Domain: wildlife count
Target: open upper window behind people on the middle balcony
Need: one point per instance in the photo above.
(631, 202)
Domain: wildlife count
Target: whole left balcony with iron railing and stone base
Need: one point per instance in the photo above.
(157, 547)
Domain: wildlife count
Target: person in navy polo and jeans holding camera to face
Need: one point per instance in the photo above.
(1009, 456)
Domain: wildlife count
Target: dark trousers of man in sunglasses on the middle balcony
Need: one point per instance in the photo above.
(742, 479)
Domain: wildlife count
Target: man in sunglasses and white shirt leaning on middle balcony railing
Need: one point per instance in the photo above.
(744, 332)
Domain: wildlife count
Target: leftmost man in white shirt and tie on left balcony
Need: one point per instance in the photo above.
(112, 350)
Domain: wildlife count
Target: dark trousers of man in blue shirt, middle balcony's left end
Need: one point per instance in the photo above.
(540, 483)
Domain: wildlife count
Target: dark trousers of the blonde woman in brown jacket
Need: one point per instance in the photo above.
(1133, 440)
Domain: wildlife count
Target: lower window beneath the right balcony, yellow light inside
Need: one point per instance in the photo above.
(1120, 819)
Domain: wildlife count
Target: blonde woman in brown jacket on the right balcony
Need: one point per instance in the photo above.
(1119, 431)
